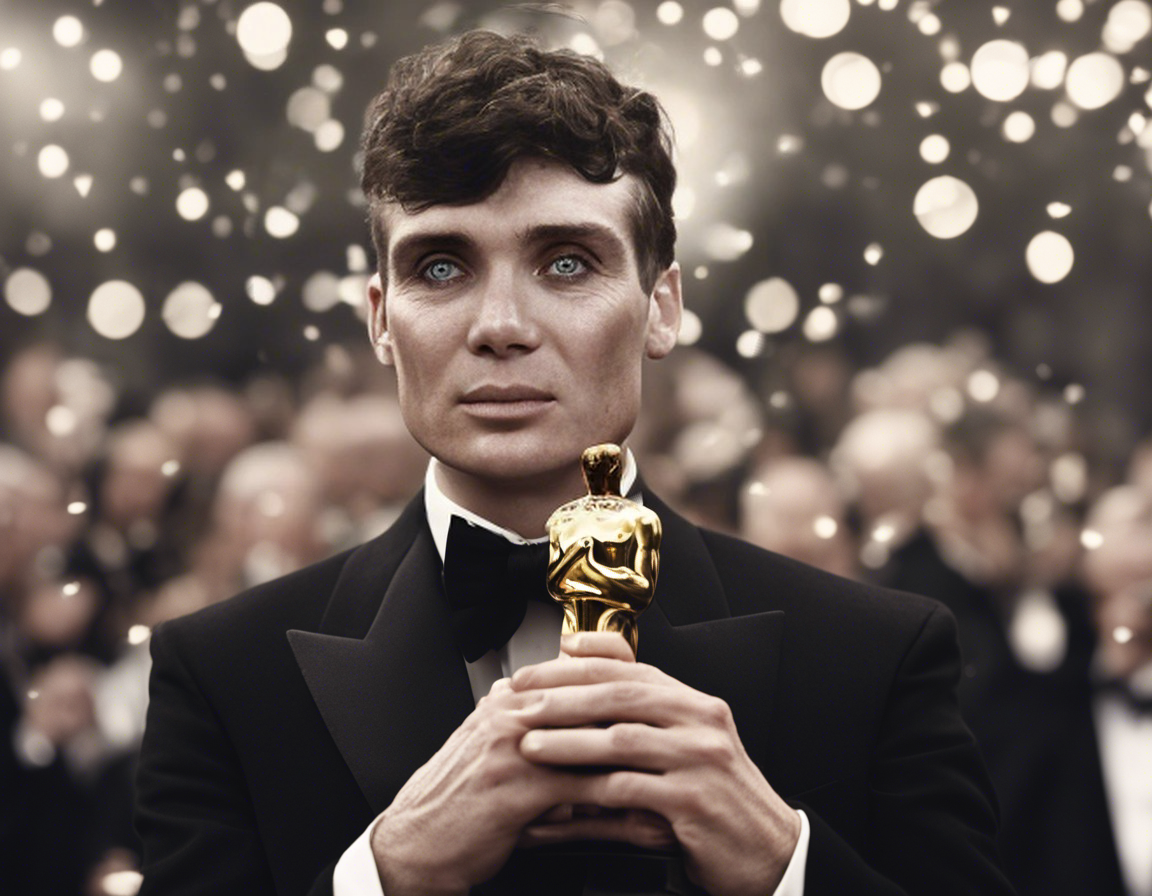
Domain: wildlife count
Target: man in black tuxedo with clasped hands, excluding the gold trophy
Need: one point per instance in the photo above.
(784, 732)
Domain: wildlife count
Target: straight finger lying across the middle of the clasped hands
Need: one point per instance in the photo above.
(628, 745)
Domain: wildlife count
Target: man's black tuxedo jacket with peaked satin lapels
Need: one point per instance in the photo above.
(283, 722)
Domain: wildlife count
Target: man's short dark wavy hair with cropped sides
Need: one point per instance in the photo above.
(454, 118)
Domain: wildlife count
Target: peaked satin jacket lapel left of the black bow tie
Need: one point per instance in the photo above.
(391, 698)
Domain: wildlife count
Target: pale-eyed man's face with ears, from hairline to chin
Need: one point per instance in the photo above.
(518, 325)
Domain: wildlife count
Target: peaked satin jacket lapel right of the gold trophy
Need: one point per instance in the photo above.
(691, 634)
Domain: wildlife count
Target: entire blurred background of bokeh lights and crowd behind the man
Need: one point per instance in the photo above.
(915, 238)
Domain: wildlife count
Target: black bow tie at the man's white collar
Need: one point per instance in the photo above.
(489, 582)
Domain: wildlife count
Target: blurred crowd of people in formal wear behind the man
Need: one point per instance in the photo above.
(935, 473)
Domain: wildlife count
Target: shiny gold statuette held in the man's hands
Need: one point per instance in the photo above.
(604, 552)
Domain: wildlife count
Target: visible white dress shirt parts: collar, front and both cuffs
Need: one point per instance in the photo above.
(536, 641)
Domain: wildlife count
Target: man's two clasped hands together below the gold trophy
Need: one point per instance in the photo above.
(592, 746)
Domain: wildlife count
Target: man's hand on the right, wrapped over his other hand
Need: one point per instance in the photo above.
(671, 754)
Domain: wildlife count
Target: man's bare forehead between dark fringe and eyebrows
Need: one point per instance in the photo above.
(535, 196)
